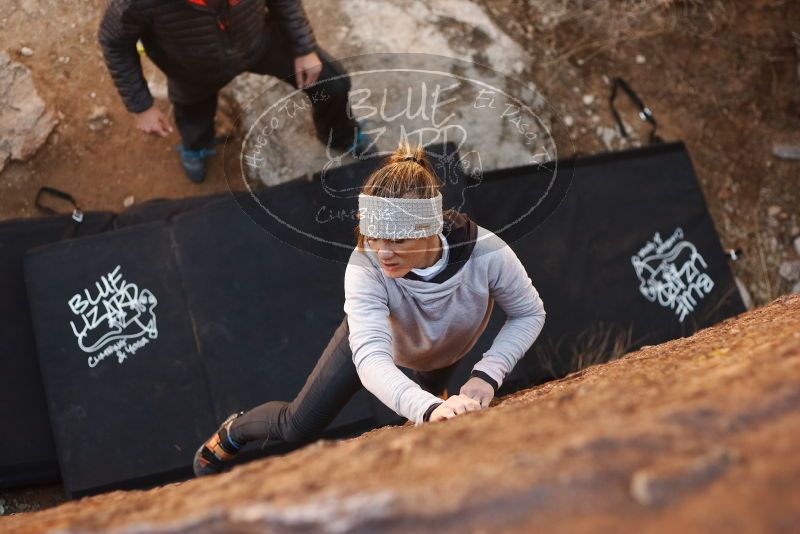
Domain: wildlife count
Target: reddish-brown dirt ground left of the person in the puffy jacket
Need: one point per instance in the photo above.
(100, 168)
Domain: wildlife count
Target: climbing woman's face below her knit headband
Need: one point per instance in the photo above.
(398, 257)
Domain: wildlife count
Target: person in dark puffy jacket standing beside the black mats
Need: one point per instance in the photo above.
(201, 45)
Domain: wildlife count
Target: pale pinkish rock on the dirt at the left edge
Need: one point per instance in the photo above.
(25, 120)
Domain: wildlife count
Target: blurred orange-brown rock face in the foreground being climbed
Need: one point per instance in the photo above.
(696, 435)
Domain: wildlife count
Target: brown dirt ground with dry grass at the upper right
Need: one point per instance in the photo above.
(720, 75)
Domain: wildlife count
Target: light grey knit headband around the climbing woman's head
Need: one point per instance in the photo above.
(399, 218)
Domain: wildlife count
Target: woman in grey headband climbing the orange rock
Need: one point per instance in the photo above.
(419, 290)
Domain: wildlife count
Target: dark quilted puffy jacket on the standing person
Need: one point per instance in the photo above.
(192, 42)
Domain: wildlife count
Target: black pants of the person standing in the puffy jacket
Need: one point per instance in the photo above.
(195, 104)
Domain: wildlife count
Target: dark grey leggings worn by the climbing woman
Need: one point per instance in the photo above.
(329, 387)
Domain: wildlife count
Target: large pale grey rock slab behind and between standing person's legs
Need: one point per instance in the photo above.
(475, 121)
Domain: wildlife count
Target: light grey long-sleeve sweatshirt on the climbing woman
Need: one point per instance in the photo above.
(424, 326)
